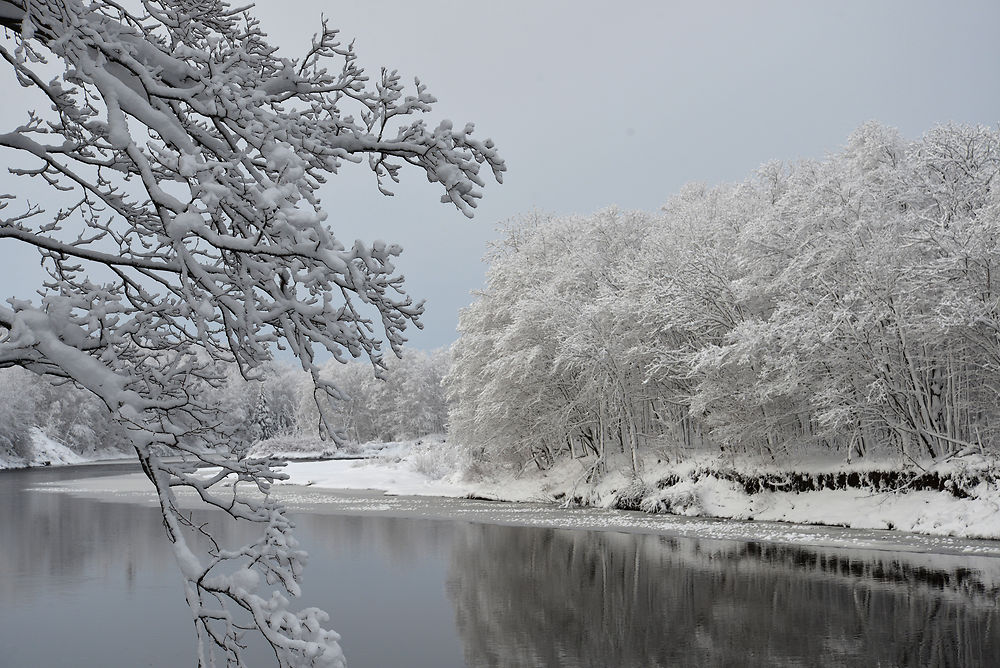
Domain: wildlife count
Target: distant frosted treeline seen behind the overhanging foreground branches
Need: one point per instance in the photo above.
(408, 403)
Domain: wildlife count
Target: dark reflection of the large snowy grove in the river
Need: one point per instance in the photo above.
(574, 598)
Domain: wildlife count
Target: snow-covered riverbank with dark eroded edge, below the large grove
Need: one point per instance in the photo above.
(689, 489)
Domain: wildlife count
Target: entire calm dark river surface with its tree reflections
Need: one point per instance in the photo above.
(86, 582)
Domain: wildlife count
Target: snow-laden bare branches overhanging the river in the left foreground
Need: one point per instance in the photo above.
(185, 234)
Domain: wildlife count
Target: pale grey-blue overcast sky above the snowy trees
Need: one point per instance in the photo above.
(597, 103)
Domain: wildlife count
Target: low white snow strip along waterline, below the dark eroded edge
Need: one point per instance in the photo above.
(421, 471)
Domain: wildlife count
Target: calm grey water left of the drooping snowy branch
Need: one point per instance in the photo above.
(84, 583)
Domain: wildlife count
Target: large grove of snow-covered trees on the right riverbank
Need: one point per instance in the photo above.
(845, 305)
